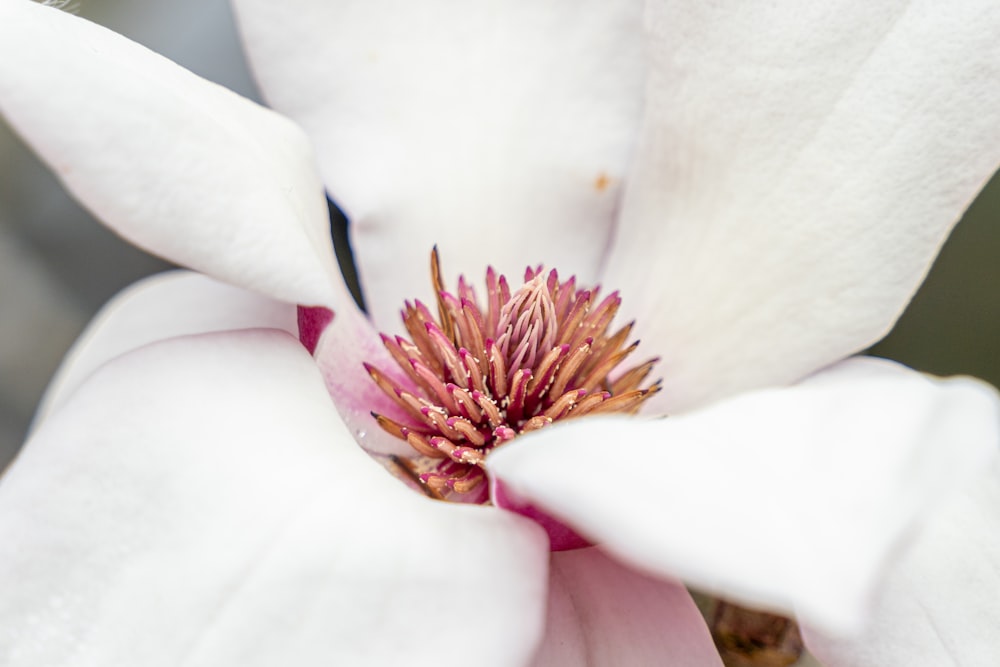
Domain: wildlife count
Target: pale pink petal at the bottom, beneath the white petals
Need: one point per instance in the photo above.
(602, 613)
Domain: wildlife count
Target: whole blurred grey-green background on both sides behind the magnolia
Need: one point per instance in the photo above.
(58, 265)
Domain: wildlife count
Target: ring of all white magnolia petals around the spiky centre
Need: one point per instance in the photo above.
(765, 185)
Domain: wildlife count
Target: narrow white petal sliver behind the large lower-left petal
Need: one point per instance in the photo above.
(170, 304)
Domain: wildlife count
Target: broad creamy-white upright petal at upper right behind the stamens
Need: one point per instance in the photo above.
(799, 168)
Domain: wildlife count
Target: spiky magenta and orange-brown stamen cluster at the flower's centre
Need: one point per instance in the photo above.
(484, 372)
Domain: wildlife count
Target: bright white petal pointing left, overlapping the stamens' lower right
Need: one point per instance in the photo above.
(792, 499)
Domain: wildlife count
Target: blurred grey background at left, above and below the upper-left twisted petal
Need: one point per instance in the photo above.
(57, 264)
